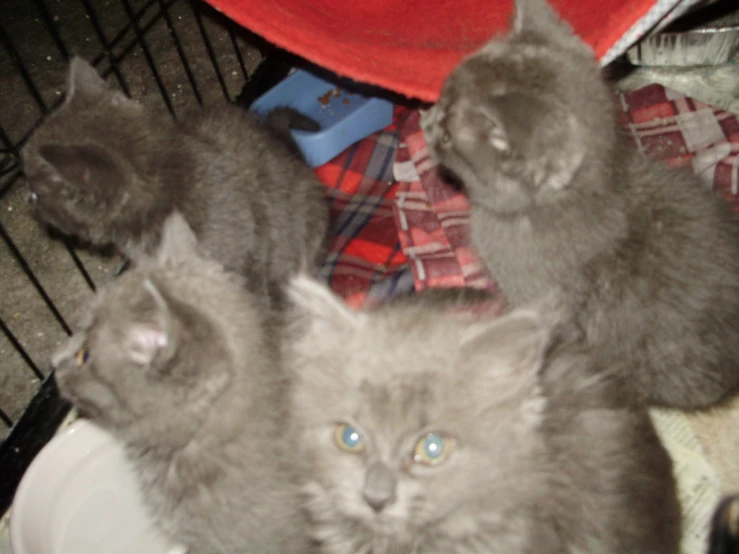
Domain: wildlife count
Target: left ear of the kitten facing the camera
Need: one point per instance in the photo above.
(318, 309)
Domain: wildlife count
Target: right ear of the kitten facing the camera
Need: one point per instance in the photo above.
(511, 348)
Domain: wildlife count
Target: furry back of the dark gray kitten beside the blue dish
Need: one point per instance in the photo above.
(268, 212)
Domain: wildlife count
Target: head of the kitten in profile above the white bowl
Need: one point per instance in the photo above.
(156, 348)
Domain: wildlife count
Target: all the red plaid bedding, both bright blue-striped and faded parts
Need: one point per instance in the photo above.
(399, 226)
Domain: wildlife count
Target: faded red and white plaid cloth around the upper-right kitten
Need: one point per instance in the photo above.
(432, 215)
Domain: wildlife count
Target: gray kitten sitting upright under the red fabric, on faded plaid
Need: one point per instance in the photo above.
(649, 256)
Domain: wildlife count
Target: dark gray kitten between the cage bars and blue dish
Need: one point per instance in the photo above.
(106, 170)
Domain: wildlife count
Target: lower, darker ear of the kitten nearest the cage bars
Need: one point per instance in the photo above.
(85, 165)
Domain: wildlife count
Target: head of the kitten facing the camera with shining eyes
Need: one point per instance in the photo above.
(410, 420)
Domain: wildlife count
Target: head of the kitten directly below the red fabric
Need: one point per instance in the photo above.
(516, 121)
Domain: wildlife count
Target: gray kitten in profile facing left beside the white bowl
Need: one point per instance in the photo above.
(175, 361)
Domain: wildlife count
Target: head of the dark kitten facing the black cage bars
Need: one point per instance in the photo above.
(76, 166)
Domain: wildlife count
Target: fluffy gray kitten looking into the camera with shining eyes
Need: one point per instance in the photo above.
(425, 430)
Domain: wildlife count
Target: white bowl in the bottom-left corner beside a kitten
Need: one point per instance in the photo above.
(80, 496)
